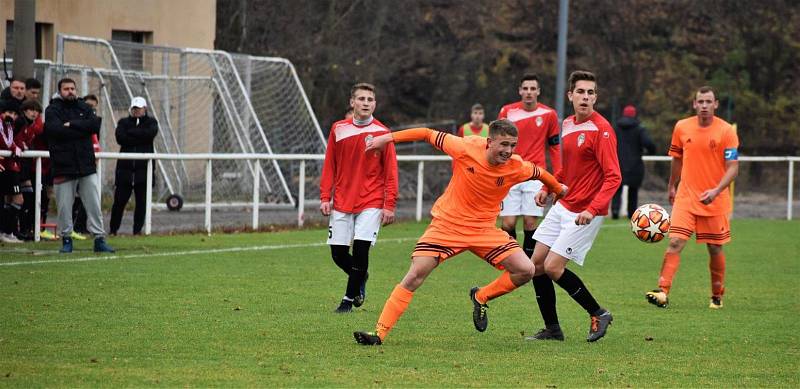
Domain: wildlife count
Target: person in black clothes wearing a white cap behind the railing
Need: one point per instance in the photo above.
(135, 134)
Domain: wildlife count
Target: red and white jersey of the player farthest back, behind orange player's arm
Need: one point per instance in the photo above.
(538, 129)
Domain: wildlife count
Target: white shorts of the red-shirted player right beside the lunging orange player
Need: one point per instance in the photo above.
(559, 231)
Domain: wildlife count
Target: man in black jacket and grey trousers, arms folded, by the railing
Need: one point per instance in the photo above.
(69, 126)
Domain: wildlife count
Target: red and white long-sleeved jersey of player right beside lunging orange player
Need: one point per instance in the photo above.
(591, 168)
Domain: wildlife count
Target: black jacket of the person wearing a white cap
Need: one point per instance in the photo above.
(134, 135)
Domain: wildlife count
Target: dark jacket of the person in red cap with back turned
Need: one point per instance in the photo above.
(632, 140)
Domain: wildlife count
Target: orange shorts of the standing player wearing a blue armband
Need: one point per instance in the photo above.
(709, 229)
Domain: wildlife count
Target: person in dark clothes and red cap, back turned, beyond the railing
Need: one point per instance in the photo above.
(632, 141)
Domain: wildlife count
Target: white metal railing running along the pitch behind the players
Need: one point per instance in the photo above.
(209, 158)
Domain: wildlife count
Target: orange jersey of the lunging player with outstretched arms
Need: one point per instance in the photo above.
(473, 196)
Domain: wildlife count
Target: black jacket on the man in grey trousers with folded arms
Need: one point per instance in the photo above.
(71, 149)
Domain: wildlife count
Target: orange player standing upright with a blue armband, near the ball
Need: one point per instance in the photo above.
(704, 163)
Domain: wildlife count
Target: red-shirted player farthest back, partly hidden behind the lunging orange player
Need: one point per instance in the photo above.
(538, 130)
